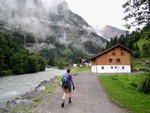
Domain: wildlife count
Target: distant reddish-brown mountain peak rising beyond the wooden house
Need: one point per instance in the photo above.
(109, 32)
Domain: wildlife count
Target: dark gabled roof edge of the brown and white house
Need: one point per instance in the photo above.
(118, 45)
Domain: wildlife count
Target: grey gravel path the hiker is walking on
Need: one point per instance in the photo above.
(88, 97)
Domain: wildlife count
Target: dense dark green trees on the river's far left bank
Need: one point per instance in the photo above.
(14, 59)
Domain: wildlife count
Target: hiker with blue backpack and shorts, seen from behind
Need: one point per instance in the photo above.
(66, 85)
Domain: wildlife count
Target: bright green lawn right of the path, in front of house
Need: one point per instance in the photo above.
(124, 91)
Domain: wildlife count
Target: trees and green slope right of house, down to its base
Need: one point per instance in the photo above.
(138, 44)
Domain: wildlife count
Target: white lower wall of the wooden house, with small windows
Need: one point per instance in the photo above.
(111, 69)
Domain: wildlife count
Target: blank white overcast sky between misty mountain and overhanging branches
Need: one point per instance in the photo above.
(99, 12)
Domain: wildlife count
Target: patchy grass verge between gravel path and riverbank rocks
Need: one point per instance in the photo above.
(39, 98)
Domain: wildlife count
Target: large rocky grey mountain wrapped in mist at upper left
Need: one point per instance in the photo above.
(50, 23)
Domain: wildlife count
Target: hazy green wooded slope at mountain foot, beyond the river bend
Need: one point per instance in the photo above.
(61, 57)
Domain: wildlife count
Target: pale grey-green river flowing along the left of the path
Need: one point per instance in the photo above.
(13, 86)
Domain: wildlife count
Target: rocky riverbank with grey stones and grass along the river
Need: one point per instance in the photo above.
(30, 99)
